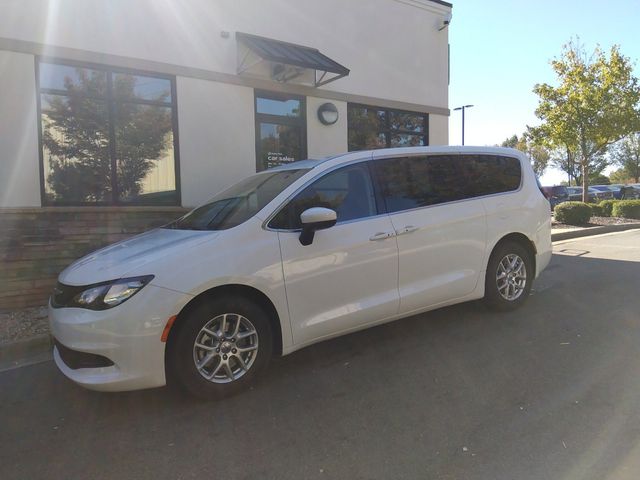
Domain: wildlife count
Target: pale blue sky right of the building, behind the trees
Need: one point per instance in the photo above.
(501, 49)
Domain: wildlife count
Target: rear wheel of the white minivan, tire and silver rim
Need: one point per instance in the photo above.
(509, 277)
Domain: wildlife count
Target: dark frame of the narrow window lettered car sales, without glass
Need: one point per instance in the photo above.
(259, 118)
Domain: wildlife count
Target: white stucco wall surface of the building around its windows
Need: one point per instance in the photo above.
(397, 57)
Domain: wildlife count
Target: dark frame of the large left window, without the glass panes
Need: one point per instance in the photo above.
(110, 102)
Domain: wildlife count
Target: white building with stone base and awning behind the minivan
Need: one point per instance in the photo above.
(117, 115)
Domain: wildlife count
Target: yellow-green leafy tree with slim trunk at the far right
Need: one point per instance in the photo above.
(596, 103)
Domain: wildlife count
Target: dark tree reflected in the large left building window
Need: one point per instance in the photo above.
(76, 137)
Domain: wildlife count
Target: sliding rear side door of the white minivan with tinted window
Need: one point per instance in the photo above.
(440, 232)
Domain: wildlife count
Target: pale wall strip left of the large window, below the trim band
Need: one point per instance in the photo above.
(19, 160)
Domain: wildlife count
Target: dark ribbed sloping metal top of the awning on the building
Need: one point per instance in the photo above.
(291, 54)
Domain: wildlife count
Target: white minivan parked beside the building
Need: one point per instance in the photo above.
(299, 254)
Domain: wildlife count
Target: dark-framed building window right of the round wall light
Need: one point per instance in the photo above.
(374, 127)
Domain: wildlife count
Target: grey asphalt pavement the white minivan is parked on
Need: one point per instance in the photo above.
(551, 391)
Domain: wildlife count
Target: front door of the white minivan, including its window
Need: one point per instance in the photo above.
(348, 276)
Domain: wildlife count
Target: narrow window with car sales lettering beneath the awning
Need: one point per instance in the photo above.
(281, 134)
